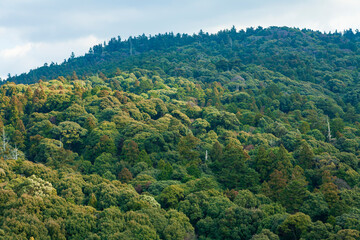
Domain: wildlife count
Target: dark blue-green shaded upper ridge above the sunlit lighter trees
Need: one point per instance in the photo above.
(298, 54)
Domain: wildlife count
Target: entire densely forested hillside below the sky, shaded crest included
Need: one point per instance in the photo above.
(238, 135)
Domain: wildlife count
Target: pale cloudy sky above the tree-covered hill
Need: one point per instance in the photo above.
(35, 32)
